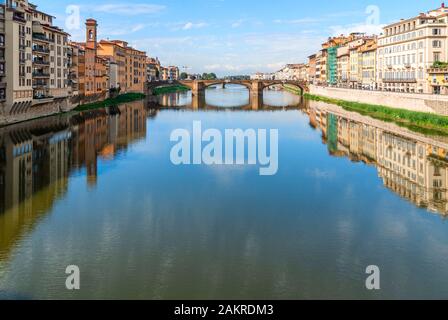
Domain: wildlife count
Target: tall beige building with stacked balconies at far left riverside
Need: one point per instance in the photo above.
(36, 58)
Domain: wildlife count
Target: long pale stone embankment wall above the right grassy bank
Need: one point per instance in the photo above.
(415, 102)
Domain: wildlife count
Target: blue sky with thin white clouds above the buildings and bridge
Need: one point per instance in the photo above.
(230, 36)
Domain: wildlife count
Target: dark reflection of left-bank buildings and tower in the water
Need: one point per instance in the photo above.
(36, 159)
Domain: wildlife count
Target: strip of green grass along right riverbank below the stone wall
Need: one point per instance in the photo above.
(422, 122)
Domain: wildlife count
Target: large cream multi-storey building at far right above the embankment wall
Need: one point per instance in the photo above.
(408, 48)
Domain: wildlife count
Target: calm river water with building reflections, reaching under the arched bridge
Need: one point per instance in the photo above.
(98, 190)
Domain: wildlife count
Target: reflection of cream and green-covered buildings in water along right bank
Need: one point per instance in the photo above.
(415, 168)
